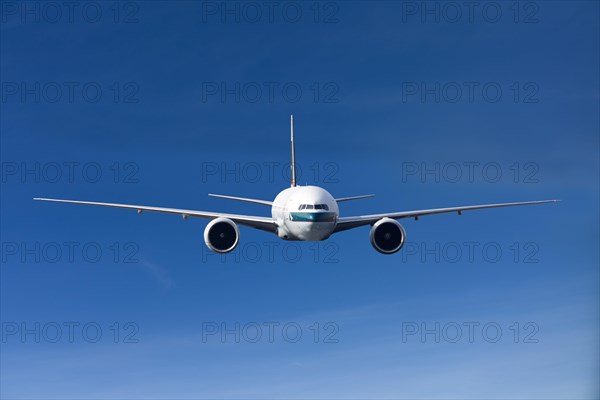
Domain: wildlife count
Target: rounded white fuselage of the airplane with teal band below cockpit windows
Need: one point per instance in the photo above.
(306, 213)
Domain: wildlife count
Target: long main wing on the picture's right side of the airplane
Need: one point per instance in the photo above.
(345, 223)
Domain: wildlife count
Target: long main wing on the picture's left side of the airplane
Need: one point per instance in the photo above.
(262, 223)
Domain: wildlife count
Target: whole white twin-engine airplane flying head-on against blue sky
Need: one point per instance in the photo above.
(304, 213)
